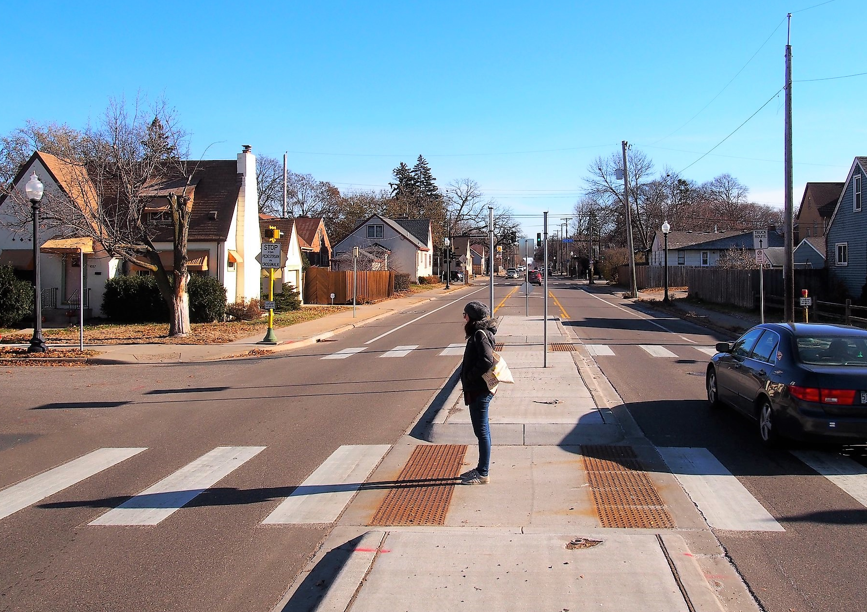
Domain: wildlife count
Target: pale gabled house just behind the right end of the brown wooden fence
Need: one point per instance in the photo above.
(407, 241)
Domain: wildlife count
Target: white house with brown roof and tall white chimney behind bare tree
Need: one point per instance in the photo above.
(223, 236)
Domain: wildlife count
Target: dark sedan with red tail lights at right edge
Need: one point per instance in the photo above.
(799, 381)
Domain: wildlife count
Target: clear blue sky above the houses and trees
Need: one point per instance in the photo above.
(520, 97)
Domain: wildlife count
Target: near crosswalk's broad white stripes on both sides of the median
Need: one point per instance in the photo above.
(322, 498)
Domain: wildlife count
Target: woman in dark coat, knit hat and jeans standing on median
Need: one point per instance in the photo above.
(478, 359)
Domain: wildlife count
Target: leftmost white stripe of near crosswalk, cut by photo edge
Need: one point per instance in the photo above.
(32, 490)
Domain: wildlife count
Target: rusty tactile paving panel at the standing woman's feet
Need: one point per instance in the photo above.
(422, 493)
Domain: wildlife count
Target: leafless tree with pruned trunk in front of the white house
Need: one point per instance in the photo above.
(132, 161)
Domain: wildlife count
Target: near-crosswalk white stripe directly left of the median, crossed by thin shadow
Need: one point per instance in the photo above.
(322, 497)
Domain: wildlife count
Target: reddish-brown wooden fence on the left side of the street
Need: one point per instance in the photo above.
(320, 283)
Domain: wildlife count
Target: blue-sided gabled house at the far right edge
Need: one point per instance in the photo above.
(846, 237)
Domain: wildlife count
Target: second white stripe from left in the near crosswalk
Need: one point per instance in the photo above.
(166, 497)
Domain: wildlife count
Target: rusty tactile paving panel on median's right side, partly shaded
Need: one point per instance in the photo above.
(624, 495)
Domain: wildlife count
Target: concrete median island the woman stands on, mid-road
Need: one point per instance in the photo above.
(534, 538)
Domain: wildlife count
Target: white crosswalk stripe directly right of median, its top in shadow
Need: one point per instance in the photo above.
(721, 498)
